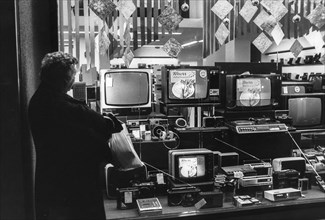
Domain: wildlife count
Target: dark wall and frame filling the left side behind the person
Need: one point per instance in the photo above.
(28, 31)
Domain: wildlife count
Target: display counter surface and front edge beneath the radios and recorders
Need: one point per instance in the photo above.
(310, 206)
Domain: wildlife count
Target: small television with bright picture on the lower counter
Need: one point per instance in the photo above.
(191, 167)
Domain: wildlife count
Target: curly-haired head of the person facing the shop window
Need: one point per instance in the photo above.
(56, 67)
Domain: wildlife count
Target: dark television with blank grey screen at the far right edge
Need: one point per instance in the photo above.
(307, 110)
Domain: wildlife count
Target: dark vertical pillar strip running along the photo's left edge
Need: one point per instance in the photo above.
(11, 167)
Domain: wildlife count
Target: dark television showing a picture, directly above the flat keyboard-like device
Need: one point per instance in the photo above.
(251, 92)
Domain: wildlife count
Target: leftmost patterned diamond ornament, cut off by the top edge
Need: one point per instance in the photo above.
(102, 8)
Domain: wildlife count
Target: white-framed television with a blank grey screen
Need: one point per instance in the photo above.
(126, 91)
